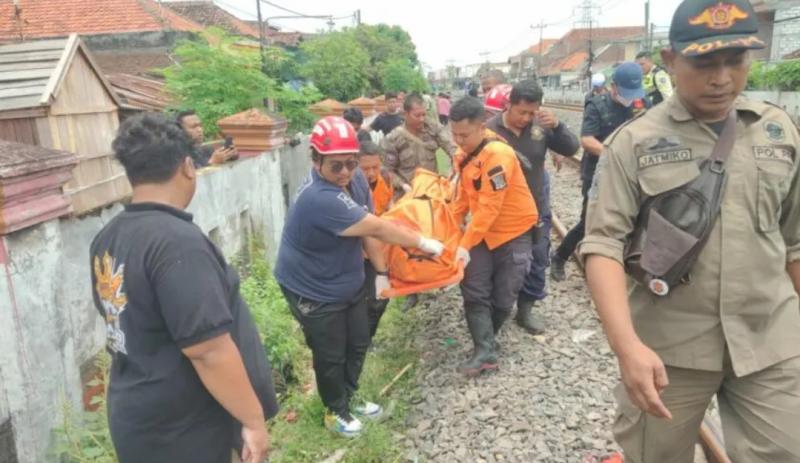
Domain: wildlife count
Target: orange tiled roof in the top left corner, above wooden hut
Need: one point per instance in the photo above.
(59, 18)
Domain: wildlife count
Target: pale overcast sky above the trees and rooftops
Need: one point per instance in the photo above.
(448, 30)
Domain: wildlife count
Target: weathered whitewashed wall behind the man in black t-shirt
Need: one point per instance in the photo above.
(50, 327)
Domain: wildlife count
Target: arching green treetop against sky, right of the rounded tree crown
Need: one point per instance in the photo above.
(384, 43)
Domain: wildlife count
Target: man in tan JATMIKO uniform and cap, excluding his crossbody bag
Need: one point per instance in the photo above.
(732, 330)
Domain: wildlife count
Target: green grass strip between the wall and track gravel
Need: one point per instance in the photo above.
(304, 439)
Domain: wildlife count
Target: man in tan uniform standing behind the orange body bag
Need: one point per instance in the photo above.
(414, 144)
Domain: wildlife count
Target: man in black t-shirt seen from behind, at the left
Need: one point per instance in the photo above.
(190, 381)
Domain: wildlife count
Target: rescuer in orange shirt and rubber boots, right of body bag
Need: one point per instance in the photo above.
(496, 246)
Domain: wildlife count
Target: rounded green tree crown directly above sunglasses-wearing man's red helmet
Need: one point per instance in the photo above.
(337, 65)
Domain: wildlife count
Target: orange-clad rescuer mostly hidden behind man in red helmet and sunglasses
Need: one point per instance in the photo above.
(380, 185)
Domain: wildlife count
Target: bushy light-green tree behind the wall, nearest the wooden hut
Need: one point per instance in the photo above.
(216, 79)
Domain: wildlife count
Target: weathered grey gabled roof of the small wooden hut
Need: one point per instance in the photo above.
(31, 72)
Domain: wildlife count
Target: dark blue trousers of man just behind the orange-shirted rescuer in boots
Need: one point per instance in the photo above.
(535, 283)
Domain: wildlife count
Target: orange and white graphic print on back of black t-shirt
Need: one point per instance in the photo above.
(110, 279)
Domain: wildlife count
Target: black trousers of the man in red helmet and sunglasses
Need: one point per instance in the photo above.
(338, 336)
